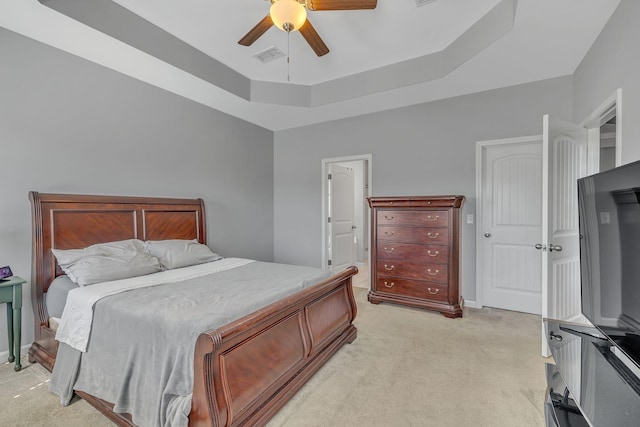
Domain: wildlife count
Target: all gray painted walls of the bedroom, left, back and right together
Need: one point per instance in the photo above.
(67, 125)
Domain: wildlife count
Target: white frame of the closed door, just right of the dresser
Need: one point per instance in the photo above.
(480, 147)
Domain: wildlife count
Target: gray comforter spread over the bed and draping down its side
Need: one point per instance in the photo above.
(140, 352)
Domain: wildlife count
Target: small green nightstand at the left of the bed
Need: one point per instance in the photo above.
(11, 293)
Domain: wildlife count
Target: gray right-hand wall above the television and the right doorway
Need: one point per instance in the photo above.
(614, 62)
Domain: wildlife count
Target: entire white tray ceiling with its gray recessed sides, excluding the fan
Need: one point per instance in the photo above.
(389, 57)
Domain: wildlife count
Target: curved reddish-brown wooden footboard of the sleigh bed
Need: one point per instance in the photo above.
(247, 370)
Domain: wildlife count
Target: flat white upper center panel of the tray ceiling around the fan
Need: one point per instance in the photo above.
(359, 41)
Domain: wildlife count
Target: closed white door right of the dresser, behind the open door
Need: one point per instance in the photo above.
(511, 216)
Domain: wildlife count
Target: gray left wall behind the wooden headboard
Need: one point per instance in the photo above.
(70, 126)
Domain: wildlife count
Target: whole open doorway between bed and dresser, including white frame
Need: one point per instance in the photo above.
(346, 184)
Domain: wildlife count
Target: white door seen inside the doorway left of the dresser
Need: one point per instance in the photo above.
(341, 217)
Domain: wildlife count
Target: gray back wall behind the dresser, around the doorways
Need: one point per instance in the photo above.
(418, 150)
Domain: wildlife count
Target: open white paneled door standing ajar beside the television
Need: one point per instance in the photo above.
(565, 160)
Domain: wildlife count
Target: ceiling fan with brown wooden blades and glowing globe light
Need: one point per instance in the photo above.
(291, 15)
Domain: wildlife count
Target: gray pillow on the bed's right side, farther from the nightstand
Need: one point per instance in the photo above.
(180, 253)
